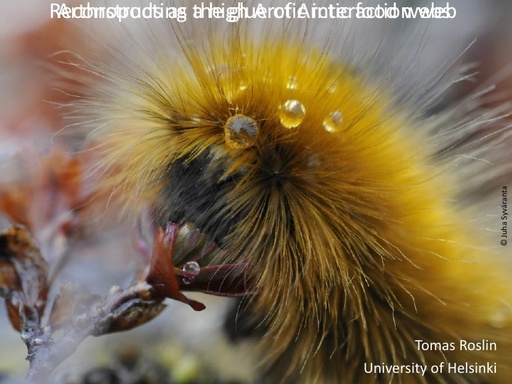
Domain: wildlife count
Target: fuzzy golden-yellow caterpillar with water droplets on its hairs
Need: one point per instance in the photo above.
(326, 180)
